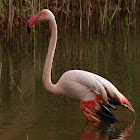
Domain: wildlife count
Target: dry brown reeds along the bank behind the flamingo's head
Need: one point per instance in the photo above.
(12, 12)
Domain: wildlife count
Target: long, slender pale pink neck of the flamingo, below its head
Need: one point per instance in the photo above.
(49, 60)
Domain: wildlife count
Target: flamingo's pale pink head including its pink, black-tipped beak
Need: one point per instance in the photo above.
(43, 15)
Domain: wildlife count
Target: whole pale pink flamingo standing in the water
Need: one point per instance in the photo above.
(96, 94)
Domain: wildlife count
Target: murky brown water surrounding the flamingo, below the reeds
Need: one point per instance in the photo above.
(28, 112)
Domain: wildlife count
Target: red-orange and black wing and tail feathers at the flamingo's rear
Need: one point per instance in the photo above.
(98, 110)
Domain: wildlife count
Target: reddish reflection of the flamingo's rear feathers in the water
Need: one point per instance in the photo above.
(105, 131)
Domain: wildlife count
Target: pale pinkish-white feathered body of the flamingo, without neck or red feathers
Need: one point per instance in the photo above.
(83, 85)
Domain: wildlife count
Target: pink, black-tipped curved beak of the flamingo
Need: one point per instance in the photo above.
(32, 21)
